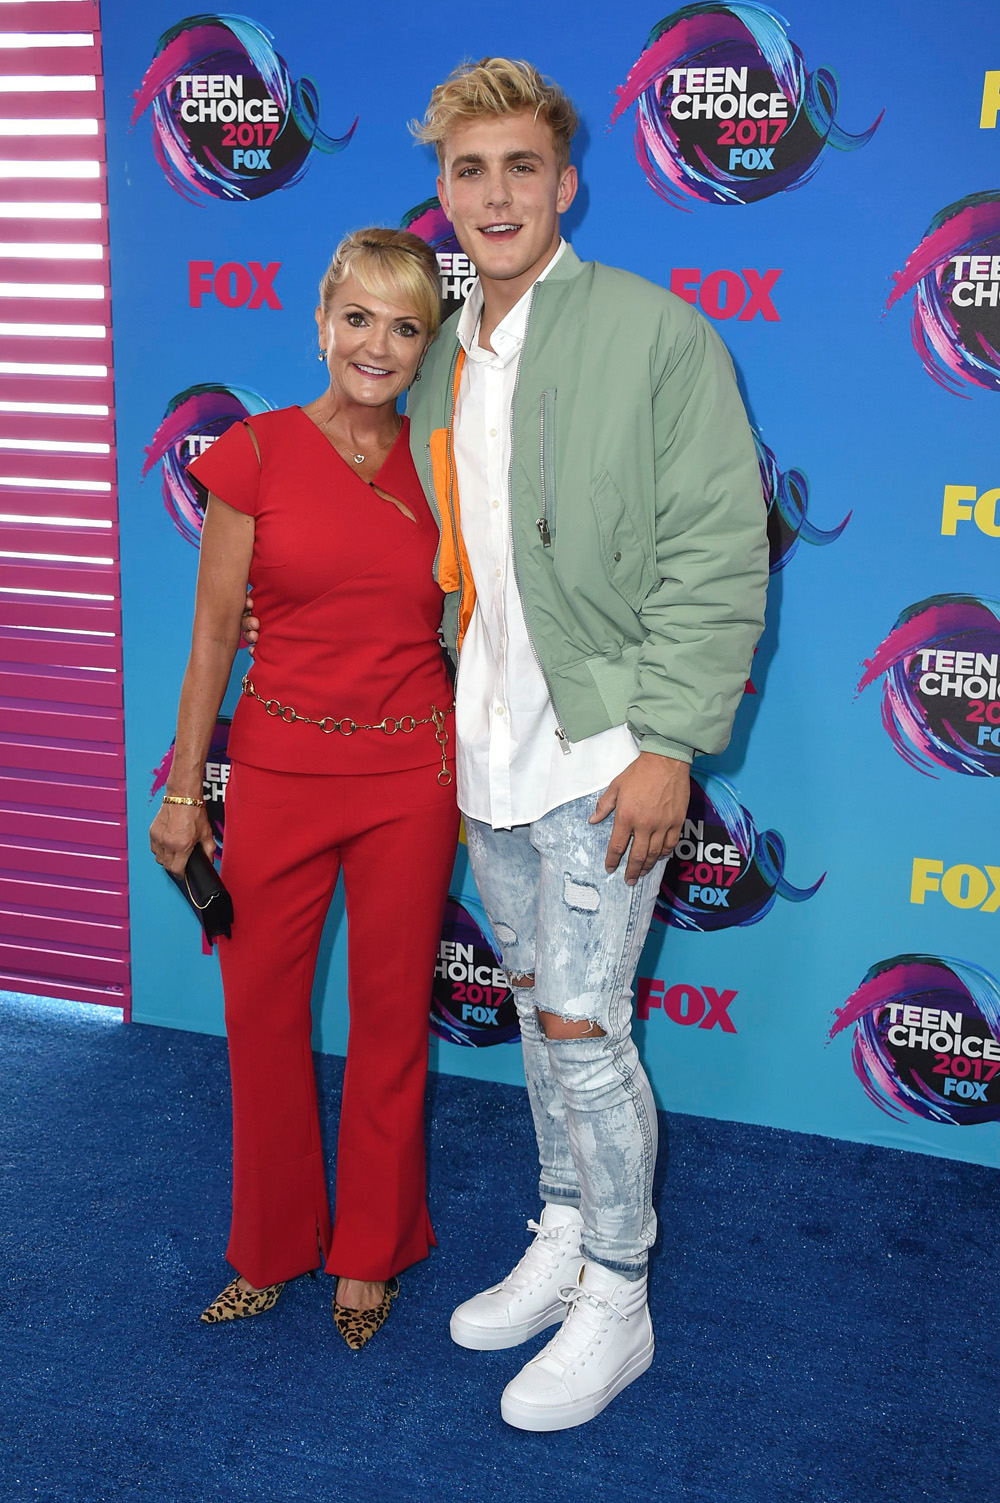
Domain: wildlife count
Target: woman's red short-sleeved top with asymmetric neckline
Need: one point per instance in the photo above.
(345, 590)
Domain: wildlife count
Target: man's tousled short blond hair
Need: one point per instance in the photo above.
(497, 86)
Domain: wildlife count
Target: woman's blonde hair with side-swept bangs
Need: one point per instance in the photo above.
(392, 265)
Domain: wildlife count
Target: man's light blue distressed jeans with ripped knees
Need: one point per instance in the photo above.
(560, 916)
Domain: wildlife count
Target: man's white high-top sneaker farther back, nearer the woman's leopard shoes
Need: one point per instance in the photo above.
(529, 1299)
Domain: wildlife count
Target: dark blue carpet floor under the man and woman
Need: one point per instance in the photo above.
(822, 1310)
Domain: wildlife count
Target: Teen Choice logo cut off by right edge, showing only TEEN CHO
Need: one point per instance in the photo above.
(956, 279)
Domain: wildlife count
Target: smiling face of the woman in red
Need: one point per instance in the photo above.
(374, 348)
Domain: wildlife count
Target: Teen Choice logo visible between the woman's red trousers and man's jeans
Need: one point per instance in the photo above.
(471, 1003)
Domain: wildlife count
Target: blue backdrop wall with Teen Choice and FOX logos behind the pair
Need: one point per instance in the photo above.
(825, 186)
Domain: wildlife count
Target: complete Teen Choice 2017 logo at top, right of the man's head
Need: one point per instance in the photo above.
(727, 110)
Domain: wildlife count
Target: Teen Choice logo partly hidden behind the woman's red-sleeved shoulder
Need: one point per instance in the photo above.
(193, 422)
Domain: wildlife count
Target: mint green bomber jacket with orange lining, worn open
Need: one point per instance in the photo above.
(637, 513)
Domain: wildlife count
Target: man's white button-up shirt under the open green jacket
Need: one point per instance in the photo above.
(514, 767)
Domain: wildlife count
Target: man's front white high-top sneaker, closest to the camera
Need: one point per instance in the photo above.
(605, 1343)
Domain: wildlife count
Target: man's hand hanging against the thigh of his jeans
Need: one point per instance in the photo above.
(650, 802)
